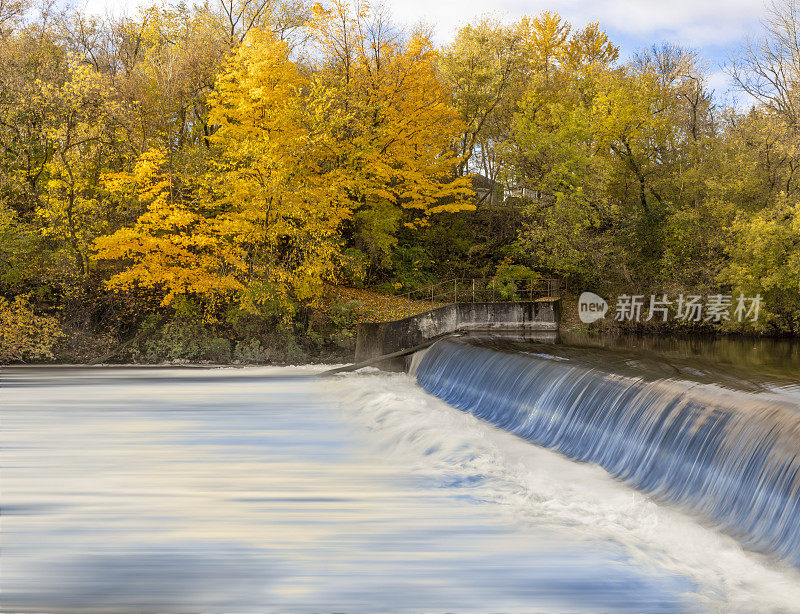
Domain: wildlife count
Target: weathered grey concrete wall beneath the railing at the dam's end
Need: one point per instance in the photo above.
(380, 338)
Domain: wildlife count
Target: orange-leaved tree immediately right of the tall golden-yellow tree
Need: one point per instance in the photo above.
(389, 121)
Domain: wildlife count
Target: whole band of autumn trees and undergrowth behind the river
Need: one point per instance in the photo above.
(246, 181)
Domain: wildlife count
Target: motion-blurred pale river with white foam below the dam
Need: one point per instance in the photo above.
(267, 490)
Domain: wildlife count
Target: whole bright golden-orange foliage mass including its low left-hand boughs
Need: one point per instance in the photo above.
(298, 156)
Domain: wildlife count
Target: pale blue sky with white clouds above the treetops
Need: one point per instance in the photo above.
(714, 28)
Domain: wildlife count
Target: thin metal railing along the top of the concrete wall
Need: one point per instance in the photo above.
(484, 291)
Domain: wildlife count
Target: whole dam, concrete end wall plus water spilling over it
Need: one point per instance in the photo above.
(716, 447)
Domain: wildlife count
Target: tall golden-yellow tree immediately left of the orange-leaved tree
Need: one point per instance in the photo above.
(280, 211)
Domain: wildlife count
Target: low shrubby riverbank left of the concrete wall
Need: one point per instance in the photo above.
(187, 335)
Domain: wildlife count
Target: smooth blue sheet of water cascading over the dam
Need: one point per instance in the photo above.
(732, 457)
